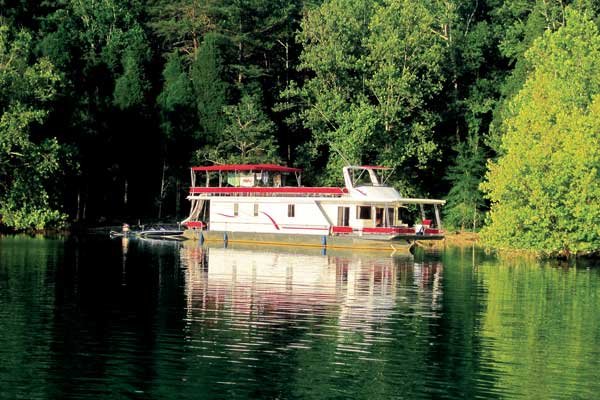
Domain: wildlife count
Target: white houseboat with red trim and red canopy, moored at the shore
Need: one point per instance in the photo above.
(266, 203)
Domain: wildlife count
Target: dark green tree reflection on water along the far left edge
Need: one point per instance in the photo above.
(26, 304)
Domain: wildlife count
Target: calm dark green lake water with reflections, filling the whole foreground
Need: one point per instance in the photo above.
(91, 317)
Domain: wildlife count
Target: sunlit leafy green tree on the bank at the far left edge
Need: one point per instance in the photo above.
(28, 165)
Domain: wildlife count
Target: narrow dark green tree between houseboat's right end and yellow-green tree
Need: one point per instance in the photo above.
(464, 208)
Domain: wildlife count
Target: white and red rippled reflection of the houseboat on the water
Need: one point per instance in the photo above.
(354, 291)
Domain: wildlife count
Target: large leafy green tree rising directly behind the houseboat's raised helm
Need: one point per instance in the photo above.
(374, 75)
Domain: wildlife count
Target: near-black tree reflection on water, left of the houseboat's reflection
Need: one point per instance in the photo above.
(115, 303)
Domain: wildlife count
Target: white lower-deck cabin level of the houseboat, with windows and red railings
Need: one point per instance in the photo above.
(345, 219)
